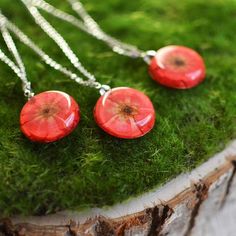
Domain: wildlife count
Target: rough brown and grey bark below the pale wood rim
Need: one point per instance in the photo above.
(206, 208)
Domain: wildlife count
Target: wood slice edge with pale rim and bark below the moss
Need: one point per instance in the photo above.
(199, 206)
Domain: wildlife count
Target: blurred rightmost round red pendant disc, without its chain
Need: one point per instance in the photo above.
(177, 67)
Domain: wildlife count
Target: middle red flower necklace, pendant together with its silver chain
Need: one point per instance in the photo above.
(122, 112)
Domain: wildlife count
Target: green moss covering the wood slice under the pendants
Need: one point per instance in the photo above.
(91, 168)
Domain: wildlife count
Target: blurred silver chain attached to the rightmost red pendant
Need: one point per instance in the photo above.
(90, 26)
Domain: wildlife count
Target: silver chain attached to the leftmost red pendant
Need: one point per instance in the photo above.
(17, 67)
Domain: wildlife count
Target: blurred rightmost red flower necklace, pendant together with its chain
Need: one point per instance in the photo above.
(172, 66)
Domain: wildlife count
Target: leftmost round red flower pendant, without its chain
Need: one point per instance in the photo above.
(49, 116)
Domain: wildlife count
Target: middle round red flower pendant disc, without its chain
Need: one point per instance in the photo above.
(125, 113)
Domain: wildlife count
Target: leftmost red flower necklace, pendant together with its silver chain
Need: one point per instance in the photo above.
(48, 116)
